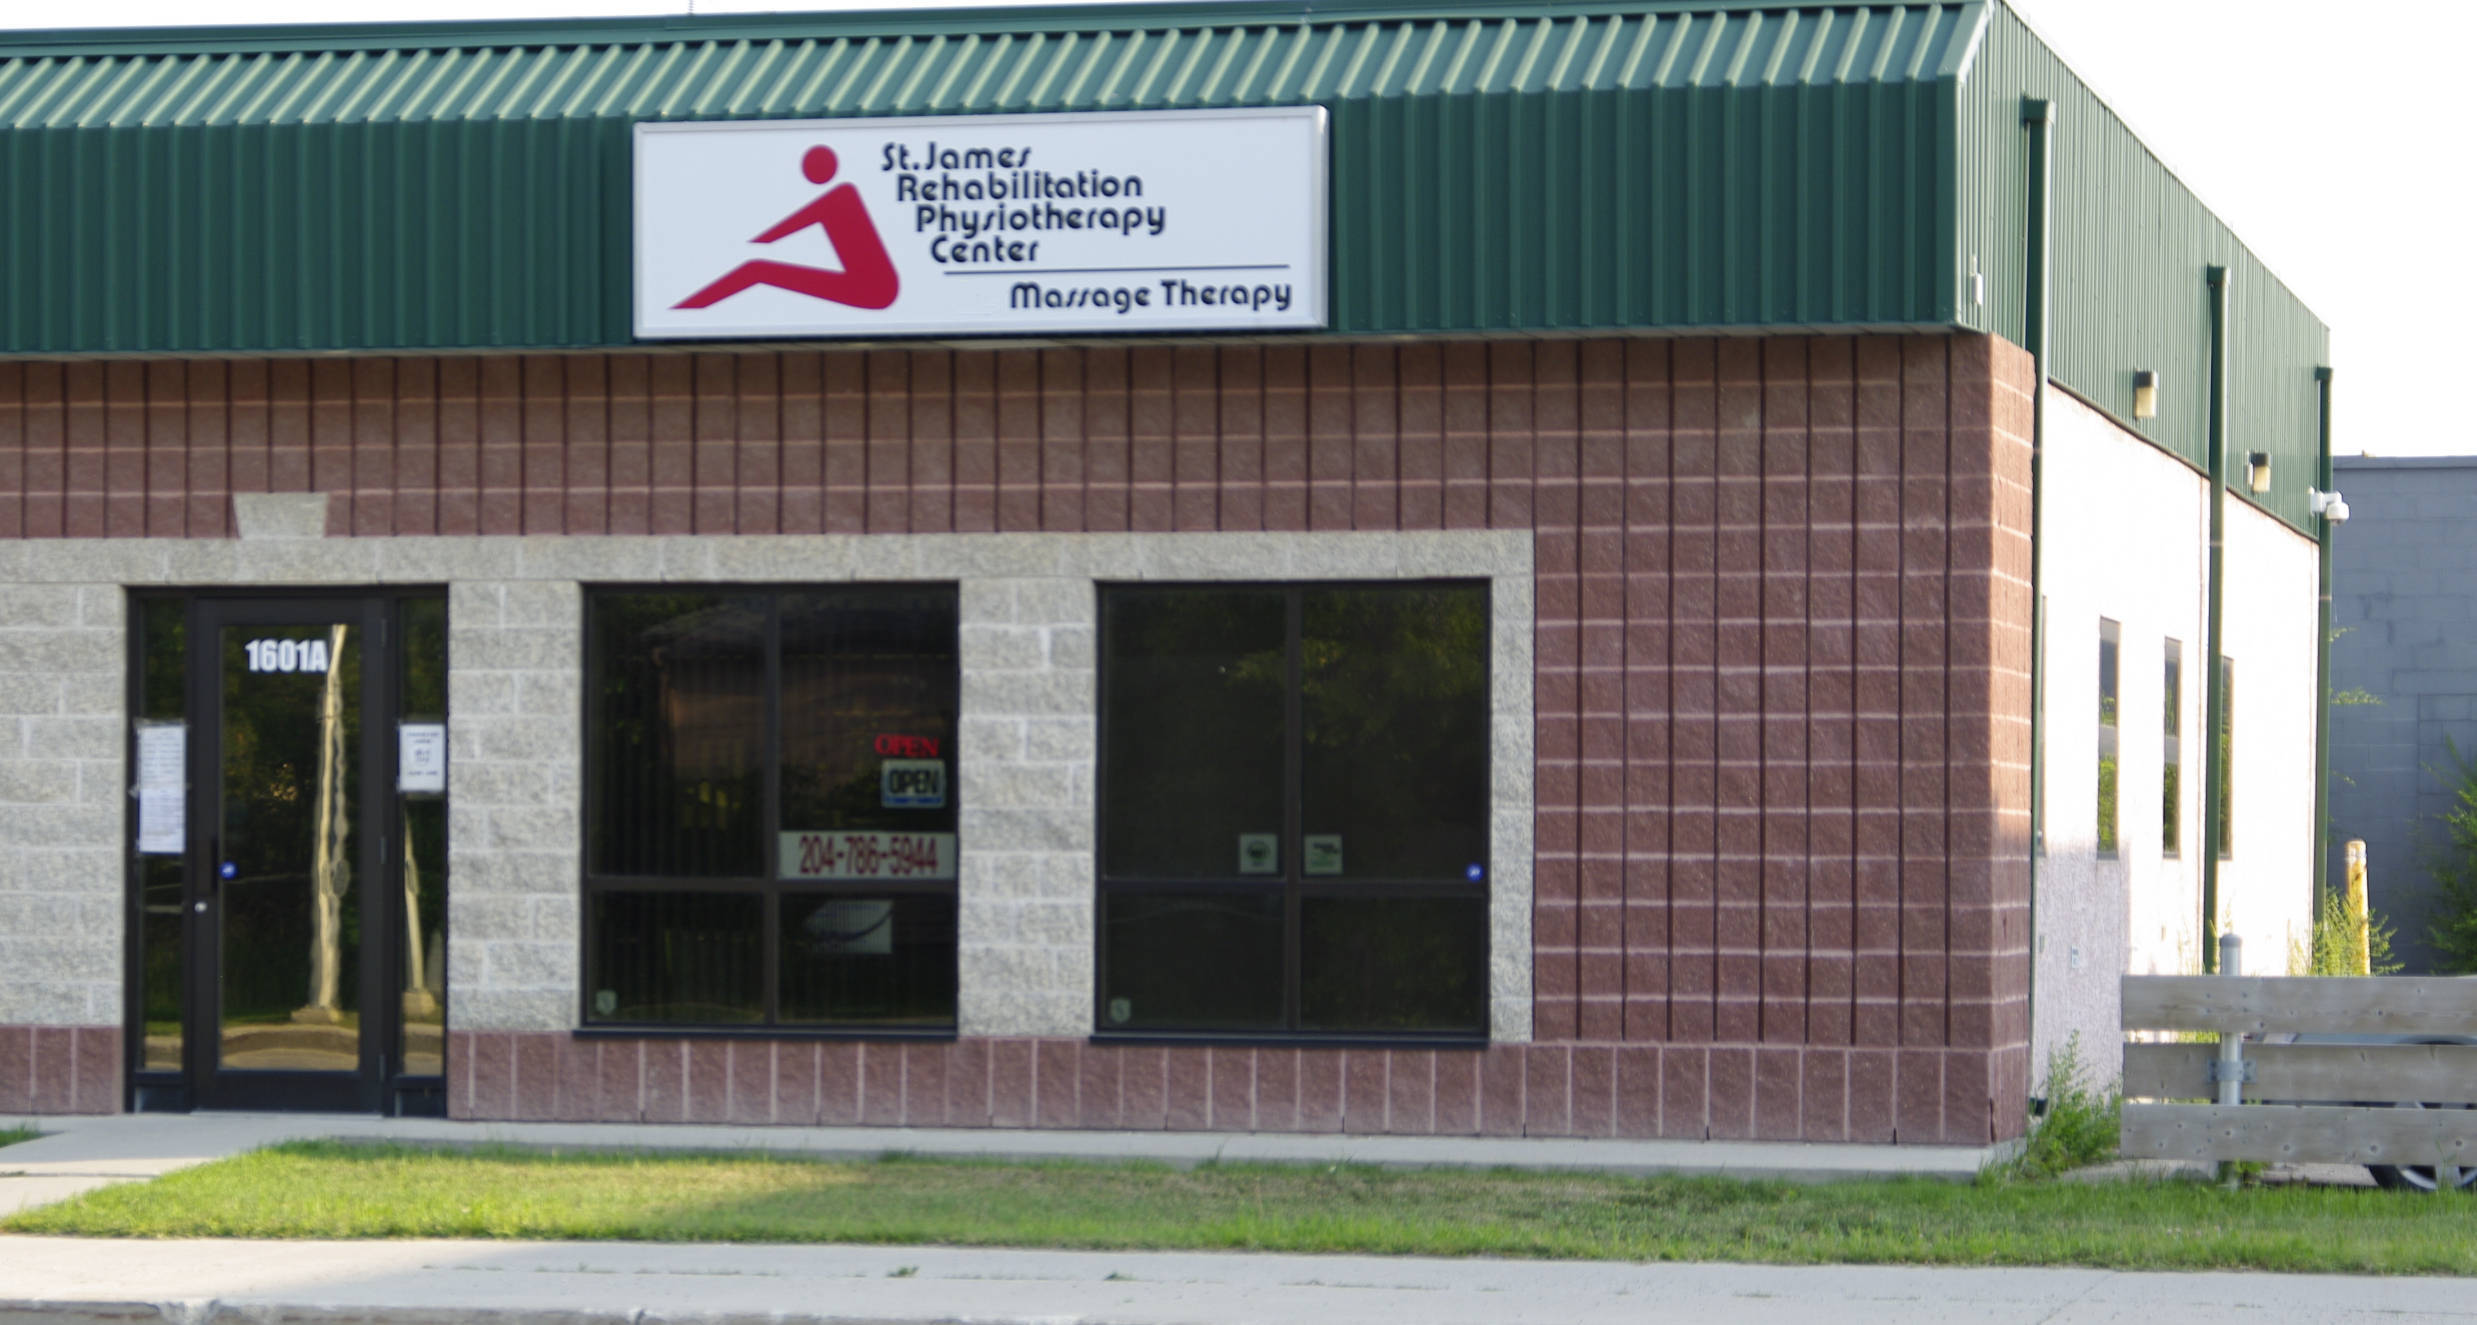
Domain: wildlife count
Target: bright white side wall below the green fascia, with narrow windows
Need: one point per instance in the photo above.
(2127, 536)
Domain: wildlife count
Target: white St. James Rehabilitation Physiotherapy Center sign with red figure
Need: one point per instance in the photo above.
(992, 224)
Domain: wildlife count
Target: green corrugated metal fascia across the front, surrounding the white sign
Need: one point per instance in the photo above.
(1582, 167)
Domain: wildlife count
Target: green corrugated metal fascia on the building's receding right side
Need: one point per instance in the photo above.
(2131, 256)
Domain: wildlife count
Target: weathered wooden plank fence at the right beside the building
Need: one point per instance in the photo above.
(2302, 1103)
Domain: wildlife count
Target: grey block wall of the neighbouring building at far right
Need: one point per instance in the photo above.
(2404, 613)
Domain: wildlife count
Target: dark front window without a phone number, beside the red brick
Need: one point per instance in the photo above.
(1294, 791)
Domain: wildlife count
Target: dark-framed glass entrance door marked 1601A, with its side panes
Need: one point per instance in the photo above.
(313, 866)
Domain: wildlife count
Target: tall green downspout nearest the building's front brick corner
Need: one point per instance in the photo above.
(2037, 326)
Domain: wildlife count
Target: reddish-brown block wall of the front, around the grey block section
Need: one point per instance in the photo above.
(1782, 660)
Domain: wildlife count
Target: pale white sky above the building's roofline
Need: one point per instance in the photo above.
(2312, 130)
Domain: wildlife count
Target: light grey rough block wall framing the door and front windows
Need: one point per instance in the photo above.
(516, 648)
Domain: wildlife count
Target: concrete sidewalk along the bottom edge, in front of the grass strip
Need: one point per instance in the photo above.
(591, 1284)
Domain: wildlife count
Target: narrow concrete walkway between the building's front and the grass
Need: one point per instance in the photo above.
(83, 1153)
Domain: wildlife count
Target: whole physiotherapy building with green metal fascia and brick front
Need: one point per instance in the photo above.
(1572, 665)
